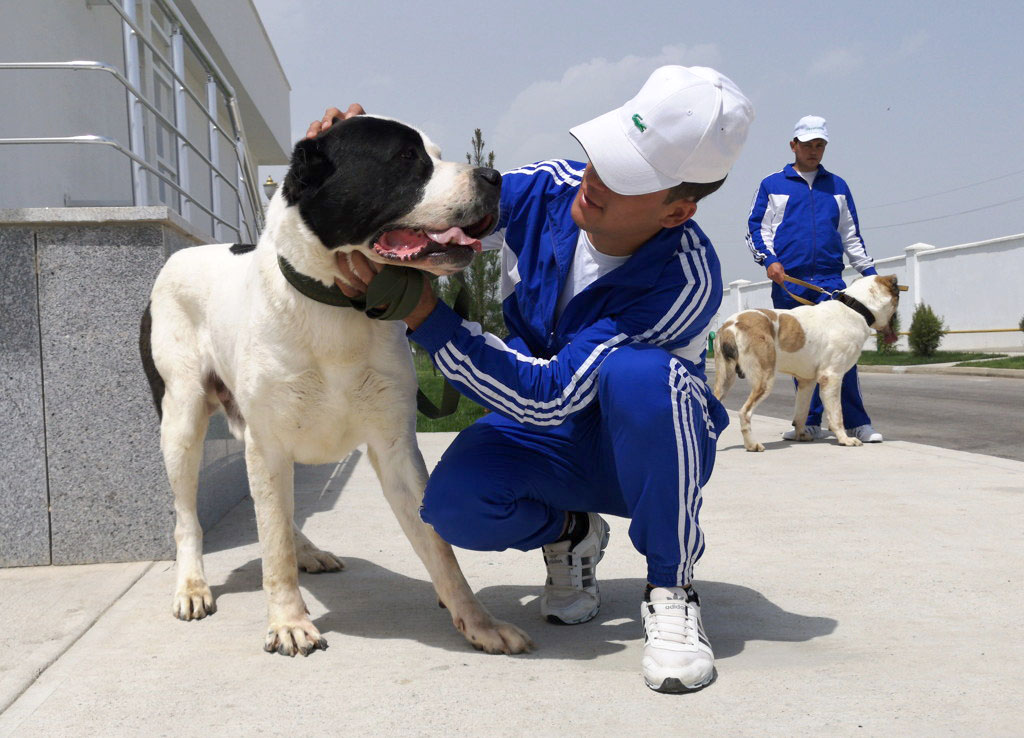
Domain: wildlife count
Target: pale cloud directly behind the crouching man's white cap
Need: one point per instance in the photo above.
(536, 124)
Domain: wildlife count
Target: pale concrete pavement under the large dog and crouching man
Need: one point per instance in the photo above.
(871, 591)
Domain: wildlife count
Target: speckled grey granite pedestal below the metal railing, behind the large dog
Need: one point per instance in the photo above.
(83, 480)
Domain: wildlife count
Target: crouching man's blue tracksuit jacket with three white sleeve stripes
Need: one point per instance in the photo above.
(545, 371)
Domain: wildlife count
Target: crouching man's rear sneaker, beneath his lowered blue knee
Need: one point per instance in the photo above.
(571, 594)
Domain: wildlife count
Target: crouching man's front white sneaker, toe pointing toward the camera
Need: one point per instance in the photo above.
(677, 656)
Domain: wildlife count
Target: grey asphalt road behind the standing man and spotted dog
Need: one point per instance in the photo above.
(983, 415)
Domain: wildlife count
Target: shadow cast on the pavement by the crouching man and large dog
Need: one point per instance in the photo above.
(370, 601)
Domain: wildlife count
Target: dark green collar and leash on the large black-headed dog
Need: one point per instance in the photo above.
(399, 289)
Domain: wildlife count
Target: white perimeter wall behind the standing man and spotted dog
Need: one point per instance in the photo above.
(973, 287)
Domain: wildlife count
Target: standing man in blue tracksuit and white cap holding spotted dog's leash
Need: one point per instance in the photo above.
(802, 223)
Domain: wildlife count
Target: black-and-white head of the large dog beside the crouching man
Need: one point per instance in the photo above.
(379, 187)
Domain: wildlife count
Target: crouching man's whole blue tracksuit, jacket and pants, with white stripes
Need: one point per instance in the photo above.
(590, 413)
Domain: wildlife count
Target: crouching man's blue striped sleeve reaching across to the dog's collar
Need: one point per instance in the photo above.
(545, 393)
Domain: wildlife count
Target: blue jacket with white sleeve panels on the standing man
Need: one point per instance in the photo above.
(807, 229)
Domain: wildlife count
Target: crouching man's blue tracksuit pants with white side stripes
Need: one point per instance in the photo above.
(644, 452)
